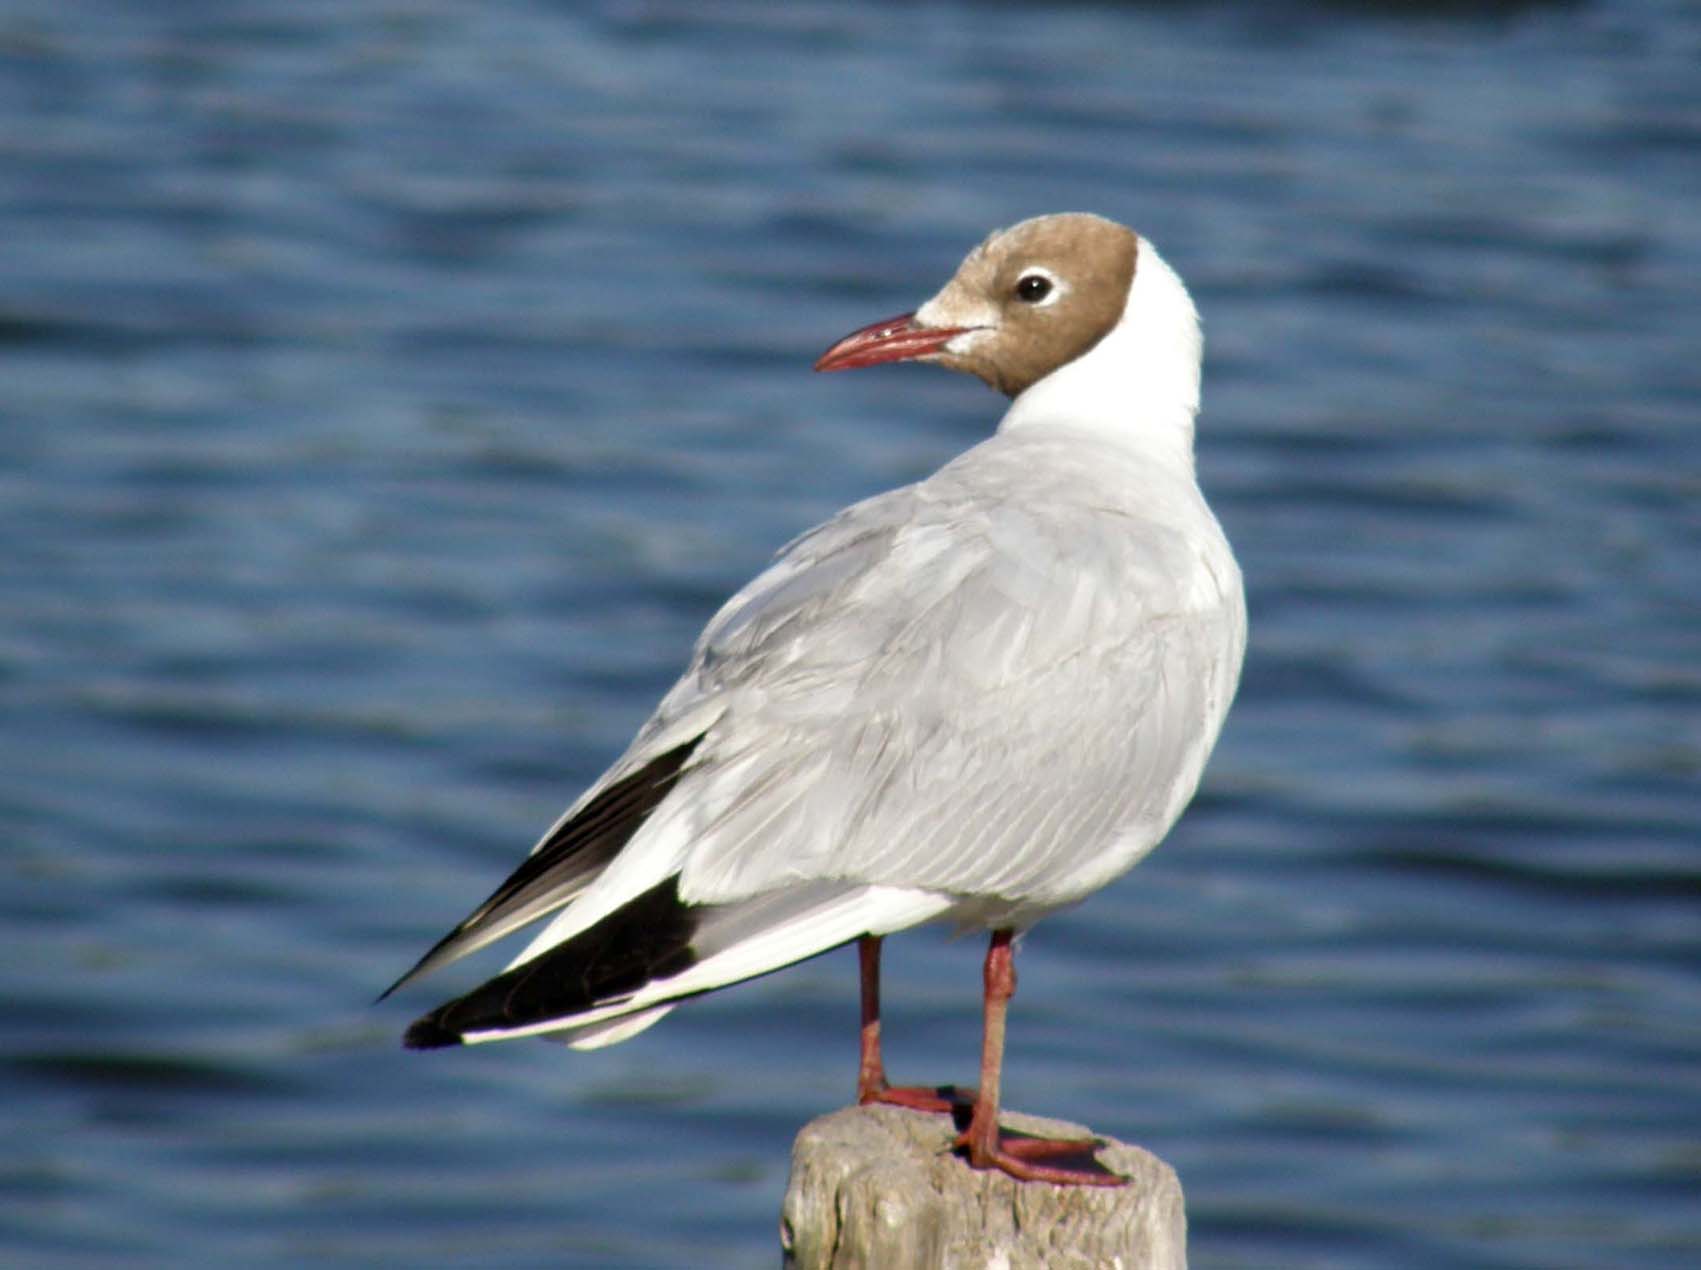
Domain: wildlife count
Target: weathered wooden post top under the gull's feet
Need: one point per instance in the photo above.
(879, 1189)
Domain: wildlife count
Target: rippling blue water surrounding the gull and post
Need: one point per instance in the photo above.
(390, 392)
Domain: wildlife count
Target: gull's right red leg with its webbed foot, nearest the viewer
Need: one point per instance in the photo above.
(987, 1148)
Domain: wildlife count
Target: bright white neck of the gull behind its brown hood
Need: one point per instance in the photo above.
(1141, 383)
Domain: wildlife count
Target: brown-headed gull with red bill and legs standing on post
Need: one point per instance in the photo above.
(974, 700)
